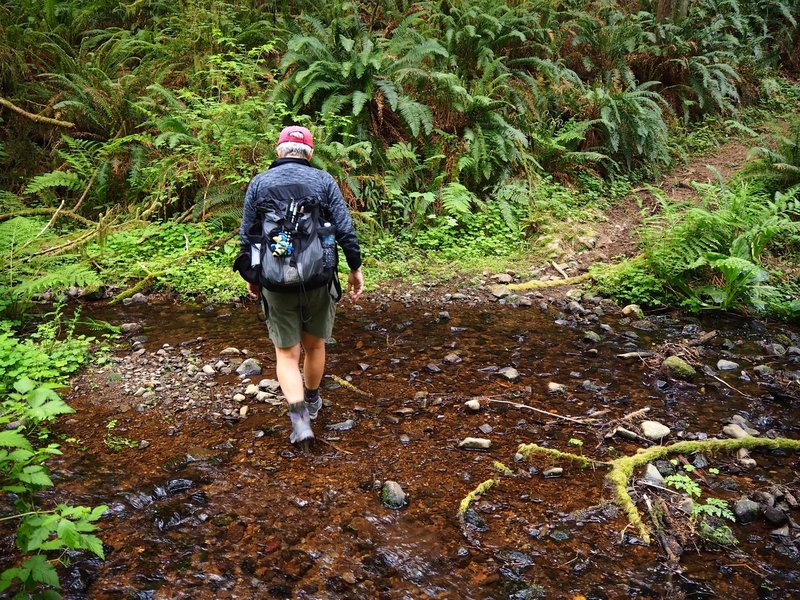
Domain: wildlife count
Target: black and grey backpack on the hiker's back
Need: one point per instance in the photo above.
(292, 232)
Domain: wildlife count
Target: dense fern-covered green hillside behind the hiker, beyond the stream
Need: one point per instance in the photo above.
(450, 125)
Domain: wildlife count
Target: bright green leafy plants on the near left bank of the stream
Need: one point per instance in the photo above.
(30, 371)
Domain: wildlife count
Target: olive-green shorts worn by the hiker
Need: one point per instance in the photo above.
(290, 314)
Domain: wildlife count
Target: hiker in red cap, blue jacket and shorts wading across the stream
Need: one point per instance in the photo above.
(300, 315)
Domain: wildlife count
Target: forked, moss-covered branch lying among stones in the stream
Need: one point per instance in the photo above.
(622, 468)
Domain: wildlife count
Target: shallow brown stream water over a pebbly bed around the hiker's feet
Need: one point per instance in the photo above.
(219, 505)
